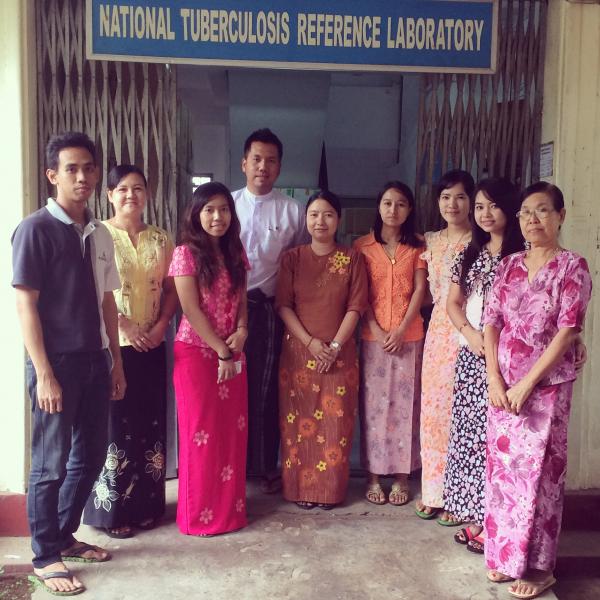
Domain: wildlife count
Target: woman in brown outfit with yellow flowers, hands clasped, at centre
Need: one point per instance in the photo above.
(321, 294)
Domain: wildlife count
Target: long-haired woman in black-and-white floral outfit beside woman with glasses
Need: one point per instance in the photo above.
(495, 234)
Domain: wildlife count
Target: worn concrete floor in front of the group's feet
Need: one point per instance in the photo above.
(356, 552)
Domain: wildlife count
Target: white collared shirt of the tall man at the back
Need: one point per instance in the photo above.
(270, 224)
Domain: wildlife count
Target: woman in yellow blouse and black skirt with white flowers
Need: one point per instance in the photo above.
(130, 489)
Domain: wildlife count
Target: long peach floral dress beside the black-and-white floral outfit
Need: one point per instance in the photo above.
(439, 360)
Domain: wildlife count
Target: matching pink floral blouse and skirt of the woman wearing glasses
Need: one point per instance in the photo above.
(527, 453)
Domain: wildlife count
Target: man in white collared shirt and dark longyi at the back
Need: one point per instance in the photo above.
(271, 222)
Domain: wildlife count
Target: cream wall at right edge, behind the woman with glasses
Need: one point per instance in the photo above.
(571, 120)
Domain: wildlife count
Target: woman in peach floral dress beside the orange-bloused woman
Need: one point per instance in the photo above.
(441, 342)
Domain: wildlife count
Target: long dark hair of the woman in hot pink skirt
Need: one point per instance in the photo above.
(201, 246)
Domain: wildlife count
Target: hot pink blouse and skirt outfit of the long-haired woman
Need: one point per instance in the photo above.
(212, 417)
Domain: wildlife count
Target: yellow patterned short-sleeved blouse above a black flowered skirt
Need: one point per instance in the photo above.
(141, 271)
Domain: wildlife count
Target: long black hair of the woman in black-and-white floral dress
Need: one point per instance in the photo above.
(505, 195)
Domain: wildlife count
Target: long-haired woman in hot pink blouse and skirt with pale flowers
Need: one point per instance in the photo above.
(210, 373)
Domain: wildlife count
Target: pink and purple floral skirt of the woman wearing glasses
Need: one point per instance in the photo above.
(525, 478)
